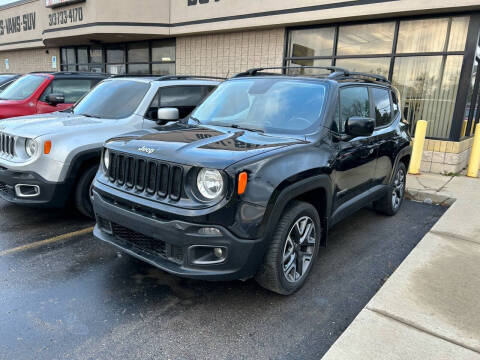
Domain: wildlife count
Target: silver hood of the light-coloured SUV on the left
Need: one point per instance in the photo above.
(43, 124)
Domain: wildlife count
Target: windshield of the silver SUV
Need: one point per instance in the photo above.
(116, 99)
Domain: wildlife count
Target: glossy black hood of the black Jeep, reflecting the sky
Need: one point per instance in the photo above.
(215, 147)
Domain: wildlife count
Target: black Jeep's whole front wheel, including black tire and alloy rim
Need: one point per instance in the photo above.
(293, 250)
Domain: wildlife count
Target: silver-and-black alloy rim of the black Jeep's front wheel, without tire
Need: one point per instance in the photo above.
(299, 249)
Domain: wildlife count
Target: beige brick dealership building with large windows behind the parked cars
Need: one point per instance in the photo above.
(429, 49)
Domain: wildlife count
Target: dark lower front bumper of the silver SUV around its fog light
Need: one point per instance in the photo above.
(49, 193)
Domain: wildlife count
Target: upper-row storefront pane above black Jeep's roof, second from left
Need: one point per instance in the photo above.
(366, 39)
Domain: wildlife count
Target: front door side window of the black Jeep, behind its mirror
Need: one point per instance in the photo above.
(354, 101)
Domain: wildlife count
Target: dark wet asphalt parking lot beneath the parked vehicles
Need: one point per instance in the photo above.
(72, 297)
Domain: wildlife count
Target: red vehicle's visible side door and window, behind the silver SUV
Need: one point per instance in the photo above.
(72, 89)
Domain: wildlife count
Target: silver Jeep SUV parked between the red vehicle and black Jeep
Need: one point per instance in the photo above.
(51, 159)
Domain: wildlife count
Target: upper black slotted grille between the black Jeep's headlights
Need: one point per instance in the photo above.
(146, 176)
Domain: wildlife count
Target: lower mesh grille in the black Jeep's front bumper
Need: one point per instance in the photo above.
(148, 244)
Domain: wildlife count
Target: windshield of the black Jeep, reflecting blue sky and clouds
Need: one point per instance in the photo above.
(270, 105)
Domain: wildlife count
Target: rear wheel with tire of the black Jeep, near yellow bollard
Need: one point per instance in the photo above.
(392, 201)
